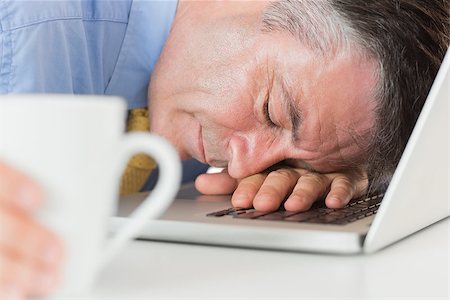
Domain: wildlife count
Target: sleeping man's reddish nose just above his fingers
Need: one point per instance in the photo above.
(252, 154)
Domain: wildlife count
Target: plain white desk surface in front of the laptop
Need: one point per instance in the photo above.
(415, 268)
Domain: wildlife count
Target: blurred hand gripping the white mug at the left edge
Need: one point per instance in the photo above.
(30, 255)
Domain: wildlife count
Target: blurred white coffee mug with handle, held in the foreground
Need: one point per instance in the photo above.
(76, 149)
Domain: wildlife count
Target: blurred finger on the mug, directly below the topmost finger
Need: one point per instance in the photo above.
(27, 239)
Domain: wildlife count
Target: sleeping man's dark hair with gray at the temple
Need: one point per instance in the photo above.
(408, 39)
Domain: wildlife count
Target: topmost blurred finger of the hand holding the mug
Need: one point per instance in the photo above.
(18, 190)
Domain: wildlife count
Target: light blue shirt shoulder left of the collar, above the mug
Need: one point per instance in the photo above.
(55, 48)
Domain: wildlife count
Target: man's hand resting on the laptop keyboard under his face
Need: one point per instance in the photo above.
(297, 188)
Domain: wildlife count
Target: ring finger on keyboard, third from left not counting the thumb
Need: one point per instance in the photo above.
(308, 189)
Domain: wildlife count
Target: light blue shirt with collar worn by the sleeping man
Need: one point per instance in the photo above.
(82, 46)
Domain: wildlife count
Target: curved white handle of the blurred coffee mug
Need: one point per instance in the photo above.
(160, 197)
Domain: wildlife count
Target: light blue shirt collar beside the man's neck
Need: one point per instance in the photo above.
(148, 27)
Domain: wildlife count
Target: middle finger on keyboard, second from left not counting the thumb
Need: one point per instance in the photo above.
(276, 187)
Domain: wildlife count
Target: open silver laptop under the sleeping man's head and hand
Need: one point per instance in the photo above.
(416, 197)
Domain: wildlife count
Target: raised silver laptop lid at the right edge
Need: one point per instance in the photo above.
(418, 192)
